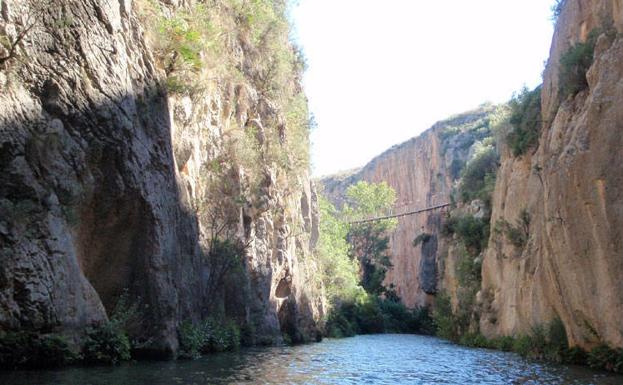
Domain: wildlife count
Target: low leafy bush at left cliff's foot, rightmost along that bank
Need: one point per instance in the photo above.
(208, 336)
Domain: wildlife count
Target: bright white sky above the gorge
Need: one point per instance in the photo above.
(382, 71)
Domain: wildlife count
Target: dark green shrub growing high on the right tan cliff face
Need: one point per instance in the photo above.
(574, 64)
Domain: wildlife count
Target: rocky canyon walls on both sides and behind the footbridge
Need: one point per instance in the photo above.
(129, 156)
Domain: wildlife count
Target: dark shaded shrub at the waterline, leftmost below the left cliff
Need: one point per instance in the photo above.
(31, 350)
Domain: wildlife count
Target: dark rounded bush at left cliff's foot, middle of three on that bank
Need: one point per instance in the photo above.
(106, 343)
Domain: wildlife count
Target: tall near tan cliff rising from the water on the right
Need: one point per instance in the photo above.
(571, 186)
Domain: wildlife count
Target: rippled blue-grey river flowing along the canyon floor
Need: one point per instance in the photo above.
(373, 359)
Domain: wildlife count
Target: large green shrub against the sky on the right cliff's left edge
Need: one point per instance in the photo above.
(526, 121)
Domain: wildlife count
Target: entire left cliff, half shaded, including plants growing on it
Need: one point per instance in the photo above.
(133, 135)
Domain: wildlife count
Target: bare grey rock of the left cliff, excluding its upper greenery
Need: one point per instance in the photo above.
(104, 176)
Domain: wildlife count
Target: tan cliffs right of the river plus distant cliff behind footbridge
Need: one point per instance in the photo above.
(569, 185)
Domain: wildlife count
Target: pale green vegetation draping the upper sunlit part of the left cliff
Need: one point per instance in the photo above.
(240, 49)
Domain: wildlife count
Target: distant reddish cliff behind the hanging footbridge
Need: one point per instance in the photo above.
(423, 172)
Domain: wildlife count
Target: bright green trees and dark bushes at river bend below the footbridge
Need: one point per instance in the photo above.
(353, 260)
